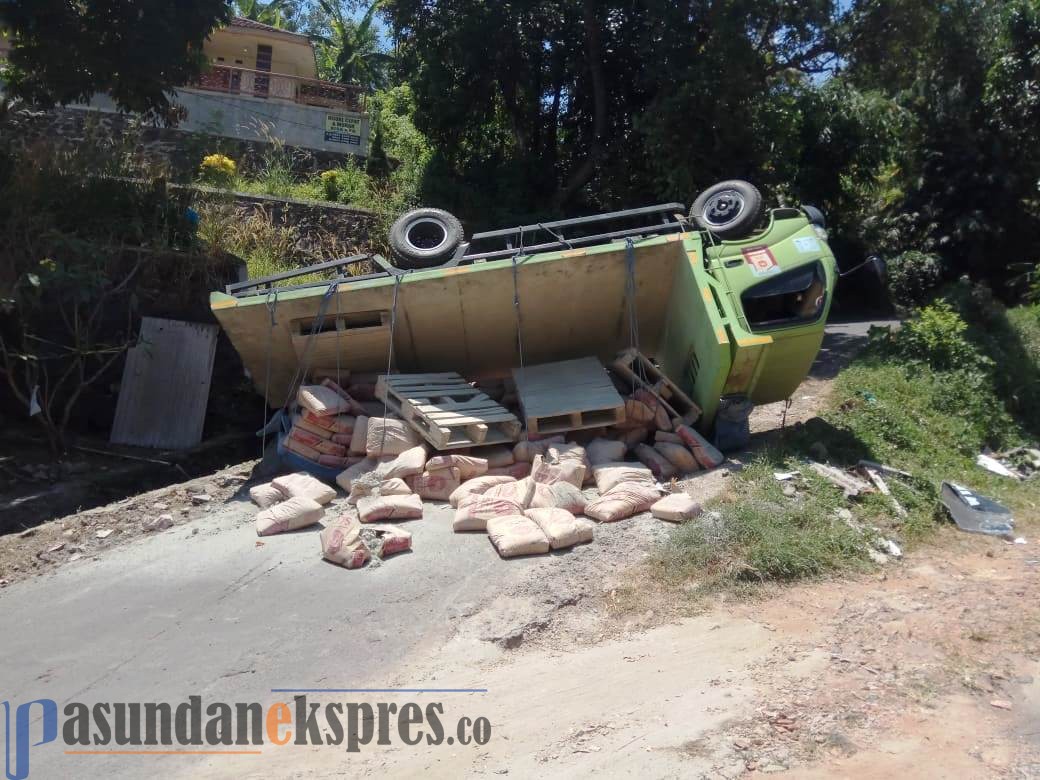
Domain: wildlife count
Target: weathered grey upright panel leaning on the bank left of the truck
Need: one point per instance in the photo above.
(166, 385)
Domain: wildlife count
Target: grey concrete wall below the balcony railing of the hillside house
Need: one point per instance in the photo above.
(255, 119)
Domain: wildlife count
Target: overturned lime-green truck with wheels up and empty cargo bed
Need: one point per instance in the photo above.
(730, 300)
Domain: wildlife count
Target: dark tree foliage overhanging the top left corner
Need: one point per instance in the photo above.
(137, 51)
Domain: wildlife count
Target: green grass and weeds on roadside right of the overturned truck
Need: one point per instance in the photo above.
(889, 408)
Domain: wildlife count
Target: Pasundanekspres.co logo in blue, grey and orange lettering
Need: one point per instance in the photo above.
(242, 729)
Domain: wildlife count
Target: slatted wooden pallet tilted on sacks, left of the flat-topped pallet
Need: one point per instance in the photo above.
(448, 412)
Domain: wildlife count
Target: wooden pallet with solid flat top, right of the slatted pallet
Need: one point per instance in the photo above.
(568, 396)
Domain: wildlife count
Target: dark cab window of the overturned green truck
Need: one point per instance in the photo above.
(790, 299)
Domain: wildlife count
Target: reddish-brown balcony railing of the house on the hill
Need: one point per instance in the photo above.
(281, 87)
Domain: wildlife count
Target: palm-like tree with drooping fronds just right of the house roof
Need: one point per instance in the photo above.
(351, 53)
